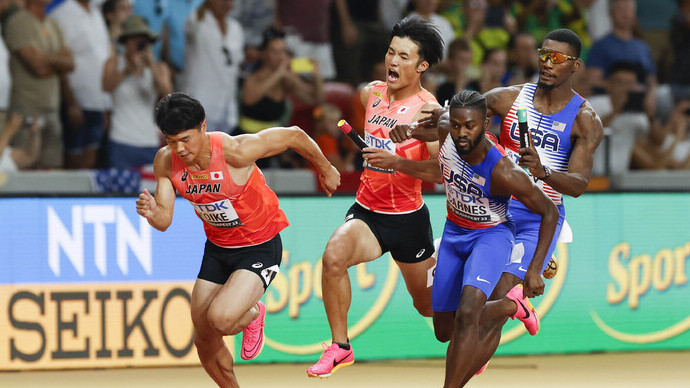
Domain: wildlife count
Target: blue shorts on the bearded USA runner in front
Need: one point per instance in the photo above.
(469, 257)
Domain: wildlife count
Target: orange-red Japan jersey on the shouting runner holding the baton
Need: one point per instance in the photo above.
(388, 191)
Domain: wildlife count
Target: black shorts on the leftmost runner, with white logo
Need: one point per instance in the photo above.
(263, 259)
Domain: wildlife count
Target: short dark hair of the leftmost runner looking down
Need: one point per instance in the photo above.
(178, 112)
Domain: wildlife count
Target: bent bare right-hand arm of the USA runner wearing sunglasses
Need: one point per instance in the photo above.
(586, 136)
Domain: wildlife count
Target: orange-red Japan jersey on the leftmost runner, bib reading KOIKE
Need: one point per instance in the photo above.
(233, 216)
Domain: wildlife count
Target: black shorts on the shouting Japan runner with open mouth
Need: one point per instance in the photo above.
(408, 237)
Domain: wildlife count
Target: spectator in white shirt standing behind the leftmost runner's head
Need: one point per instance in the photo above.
(213, 55)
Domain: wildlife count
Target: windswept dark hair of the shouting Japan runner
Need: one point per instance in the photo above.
(424, 34)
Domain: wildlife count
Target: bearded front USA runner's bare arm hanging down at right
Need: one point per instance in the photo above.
(508, 179)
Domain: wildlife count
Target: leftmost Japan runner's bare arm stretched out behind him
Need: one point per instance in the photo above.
(244, 150)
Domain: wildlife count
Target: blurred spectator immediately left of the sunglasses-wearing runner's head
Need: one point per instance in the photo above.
(523, 64)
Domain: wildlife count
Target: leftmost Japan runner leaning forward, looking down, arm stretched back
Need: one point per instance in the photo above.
(217, 174)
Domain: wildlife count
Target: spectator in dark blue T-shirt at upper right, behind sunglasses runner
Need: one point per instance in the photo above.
(621, 45)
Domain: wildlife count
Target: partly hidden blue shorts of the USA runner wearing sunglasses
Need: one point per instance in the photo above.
(526, 237)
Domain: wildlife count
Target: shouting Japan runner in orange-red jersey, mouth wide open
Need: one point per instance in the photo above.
(389, 214)
